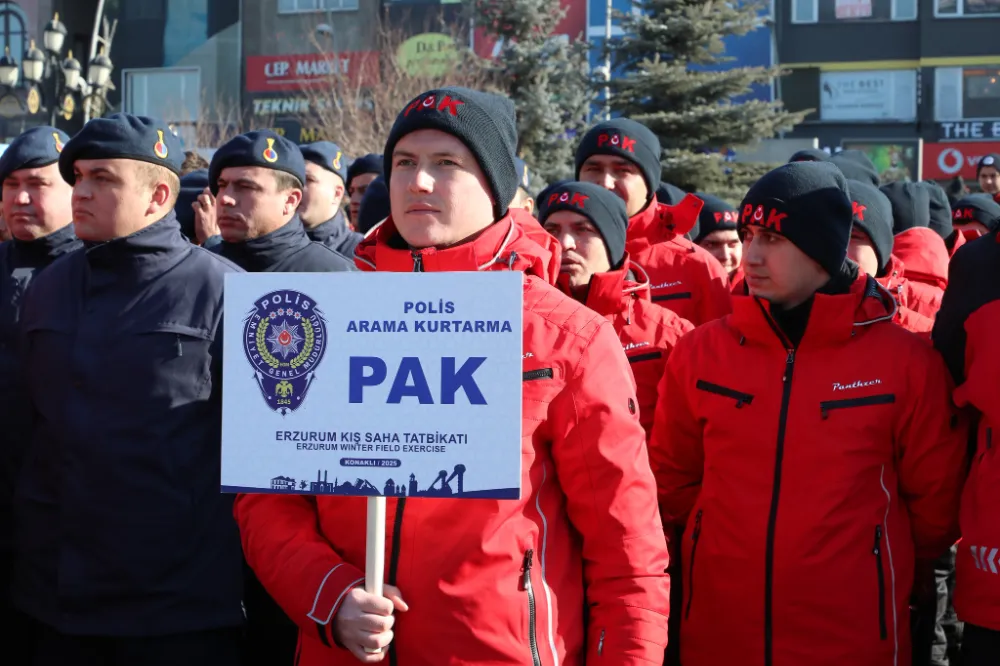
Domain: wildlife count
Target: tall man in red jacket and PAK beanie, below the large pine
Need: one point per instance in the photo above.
(624, 157)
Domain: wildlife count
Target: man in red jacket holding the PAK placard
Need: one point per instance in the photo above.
(571, 573)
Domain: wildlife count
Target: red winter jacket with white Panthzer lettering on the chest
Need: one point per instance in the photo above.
(808, 480)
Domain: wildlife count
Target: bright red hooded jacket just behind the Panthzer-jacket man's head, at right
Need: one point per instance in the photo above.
(925, 257)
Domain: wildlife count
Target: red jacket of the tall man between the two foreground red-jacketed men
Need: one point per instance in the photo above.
(683, 277)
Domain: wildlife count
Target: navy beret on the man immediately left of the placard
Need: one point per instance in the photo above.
(123, 136)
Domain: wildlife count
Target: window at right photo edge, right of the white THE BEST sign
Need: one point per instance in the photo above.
(966, 93)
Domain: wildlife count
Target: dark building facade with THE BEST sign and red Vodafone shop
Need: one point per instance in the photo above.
(915, 83)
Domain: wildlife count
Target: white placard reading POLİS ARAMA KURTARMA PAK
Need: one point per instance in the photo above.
(391, 384)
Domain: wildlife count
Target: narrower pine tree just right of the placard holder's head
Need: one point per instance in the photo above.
(547, 78)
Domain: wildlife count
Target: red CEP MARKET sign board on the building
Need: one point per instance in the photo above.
(310, 71)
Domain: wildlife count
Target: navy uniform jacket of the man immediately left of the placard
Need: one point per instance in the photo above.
(121, 529)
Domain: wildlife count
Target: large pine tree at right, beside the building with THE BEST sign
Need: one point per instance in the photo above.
(691, 110)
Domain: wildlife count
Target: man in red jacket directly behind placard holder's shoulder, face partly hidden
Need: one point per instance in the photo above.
(589, 224)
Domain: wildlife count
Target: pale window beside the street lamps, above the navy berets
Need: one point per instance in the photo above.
(170, 93)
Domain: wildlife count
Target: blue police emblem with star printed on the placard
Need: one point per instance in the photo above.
(284, 337)
